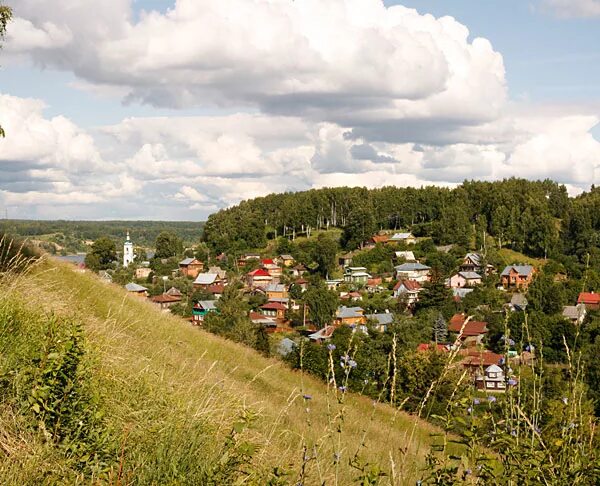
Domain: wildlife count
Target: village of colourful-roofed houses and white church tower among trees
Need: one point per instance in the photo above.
(276, 283)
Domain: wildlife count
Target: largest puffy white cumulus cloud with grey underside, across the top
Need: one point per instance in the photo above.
(355, 63)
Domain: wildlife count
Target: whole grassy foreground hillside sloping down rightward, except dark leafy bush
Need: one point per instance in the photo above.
(177, 405)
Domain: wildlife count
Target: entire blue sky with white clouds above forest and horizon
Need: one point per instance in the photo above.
(173, 109)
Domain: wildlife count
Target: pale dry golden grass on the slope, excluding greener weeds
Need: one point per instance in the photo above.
(156, 371)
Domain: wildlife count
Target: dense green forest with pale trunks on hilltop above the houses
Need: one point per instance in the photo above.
(537, 218)
